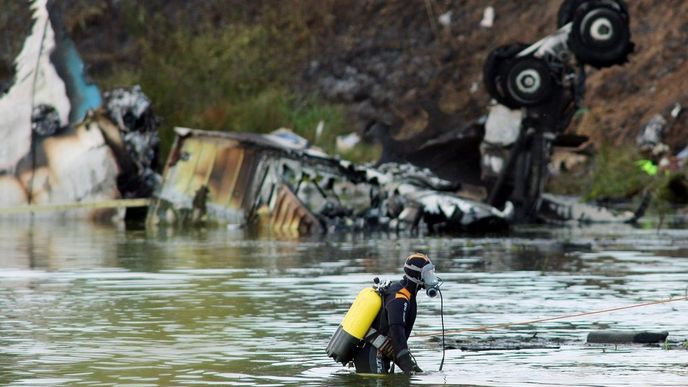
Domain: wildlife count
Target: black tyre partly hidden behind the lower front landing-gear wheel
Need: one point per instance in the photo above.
(495, 71)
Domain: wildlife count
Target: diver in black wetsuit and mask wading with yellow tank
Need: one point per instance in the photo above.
(375, 331)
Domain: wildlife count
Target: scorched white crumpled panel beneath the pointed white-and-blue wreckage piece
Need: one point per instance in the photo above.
(84, 163)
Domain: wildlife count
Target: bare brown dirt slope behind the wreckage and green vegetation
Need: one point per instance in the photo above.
(394, 61)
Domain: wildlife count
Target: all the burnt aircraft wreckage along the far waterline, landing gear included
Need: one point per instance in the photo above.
(69, 144)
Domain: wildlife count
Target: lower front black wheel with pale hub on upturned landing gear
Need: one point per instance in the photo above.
(529, 81)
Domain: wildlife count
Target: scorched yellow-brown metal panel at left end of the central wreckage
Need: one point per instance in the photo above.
(230, 172)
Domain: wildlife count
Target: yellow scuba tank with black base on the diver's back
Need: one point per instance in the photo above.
(355, 325)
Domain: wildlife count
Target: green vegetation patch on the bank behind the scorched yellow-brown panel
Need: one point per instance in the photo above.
(234, 78)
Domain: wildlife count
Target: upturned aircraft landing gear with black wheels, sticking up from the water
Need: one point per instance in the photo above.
(541, 81)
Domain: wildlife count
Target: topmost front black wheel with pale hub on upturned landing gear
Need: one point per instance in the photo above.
(600, 35)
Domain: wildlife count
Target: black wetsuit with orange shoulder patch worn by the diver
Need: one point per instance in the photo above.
(395, 320)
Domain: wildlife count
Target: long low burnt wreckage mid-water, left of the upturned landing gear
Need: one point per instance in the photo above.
(276, 181)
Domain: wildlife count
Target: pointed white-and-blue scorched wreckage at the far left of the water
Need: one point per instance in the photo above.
(64, 145)
